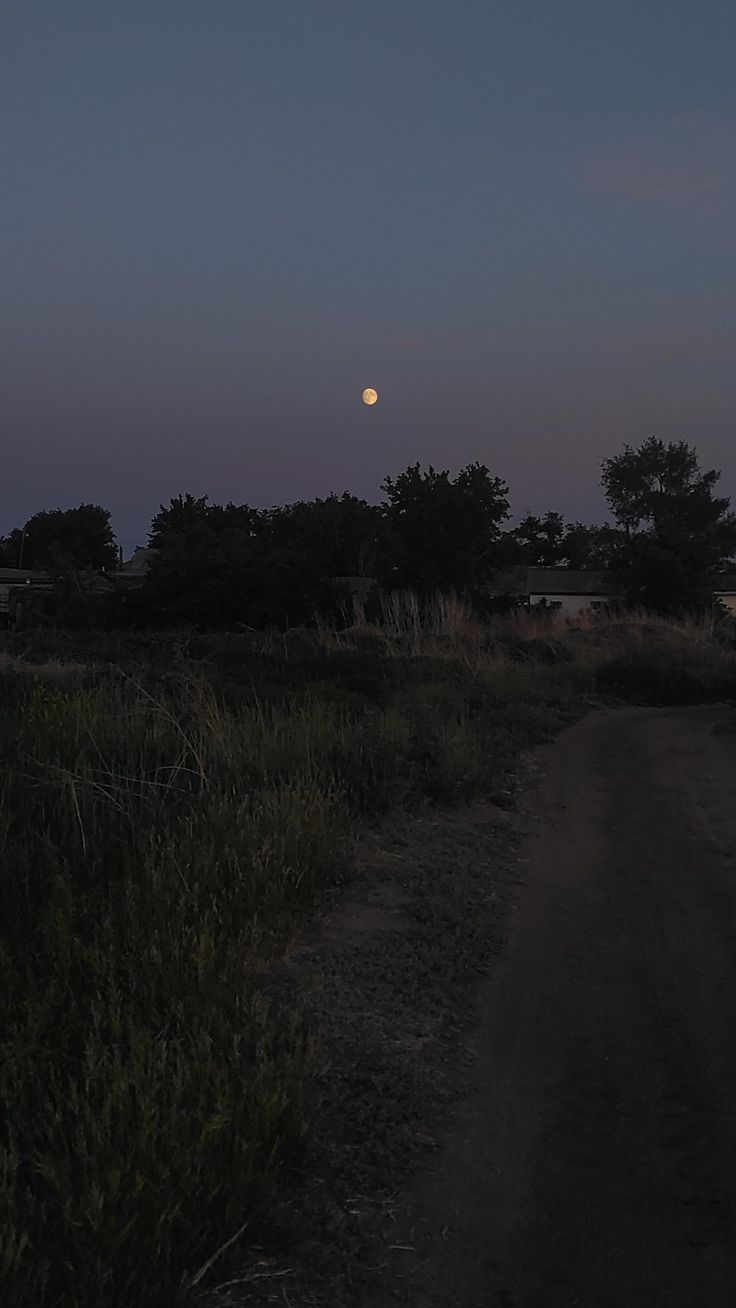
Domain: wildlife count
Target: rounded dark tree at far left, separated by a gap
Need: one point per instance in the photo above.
(62, 541)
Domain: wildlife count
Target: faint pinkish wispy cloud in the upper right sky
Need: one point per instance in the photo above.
(687, 163)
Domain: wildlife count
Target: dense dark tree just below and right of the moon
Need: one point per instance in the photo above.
(444, 534)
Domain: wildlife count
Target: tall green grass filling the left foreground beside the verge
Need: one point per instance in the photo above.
(155, 846)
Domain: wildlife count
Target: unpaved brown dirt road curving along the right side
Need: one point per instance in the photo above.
(595, 1162)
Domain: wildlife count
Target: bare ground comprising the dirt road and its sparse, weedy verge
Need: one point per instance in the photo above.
(569, 1126)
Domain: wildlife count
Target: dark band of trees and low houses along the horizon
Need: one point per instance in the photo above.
(670, 549)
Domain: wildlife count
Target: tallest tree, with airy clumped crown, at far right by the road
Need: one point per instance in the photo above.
(677, 530)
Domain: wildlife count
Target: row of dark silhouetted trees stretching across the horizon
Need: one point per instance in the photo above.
(229, 566)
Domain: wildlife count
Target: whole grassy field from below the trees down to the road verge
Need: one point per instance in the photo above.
(169, 810)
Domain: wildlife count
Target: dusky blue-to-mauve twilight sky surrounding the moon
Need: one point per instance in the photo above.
(222, 219)
